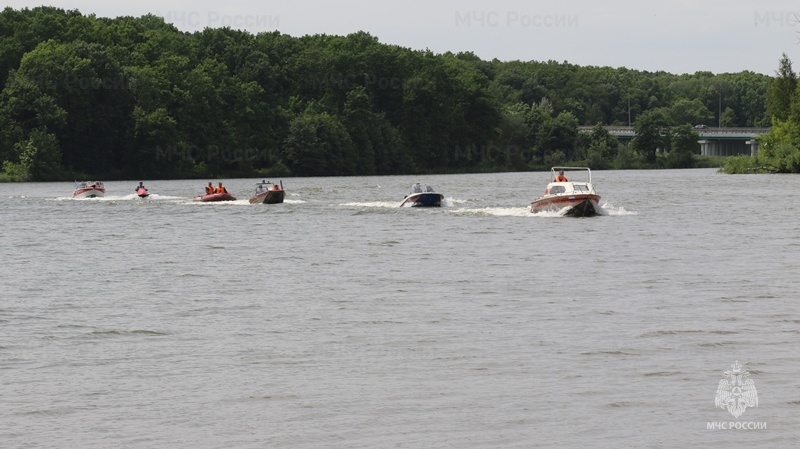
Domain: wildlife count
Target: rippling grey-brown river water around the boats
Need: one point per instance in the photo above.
(338, 320)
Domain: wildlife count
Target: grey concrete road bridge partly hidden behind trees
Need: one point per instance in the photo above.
(713, 141)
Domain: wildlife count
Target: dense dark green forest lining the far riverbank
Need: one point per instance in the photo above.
(136, 98)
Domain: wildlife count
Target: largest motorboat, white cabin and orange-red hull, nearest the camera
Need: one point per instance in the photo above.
(579, 198)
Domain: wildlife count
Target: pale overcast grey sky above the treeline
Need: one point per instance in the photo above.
(677, 36)
